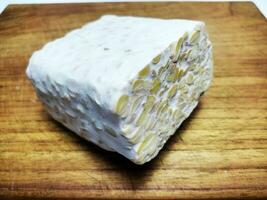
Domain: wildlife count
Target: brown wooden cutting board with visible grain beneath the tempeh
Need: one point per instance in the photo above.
(219, 152)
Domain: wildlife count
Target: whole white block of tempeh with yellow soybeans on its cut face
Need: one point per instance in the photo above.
(122, 87)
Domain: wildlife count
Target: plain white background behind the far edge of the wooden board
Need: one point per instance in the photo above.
(261, 4)
